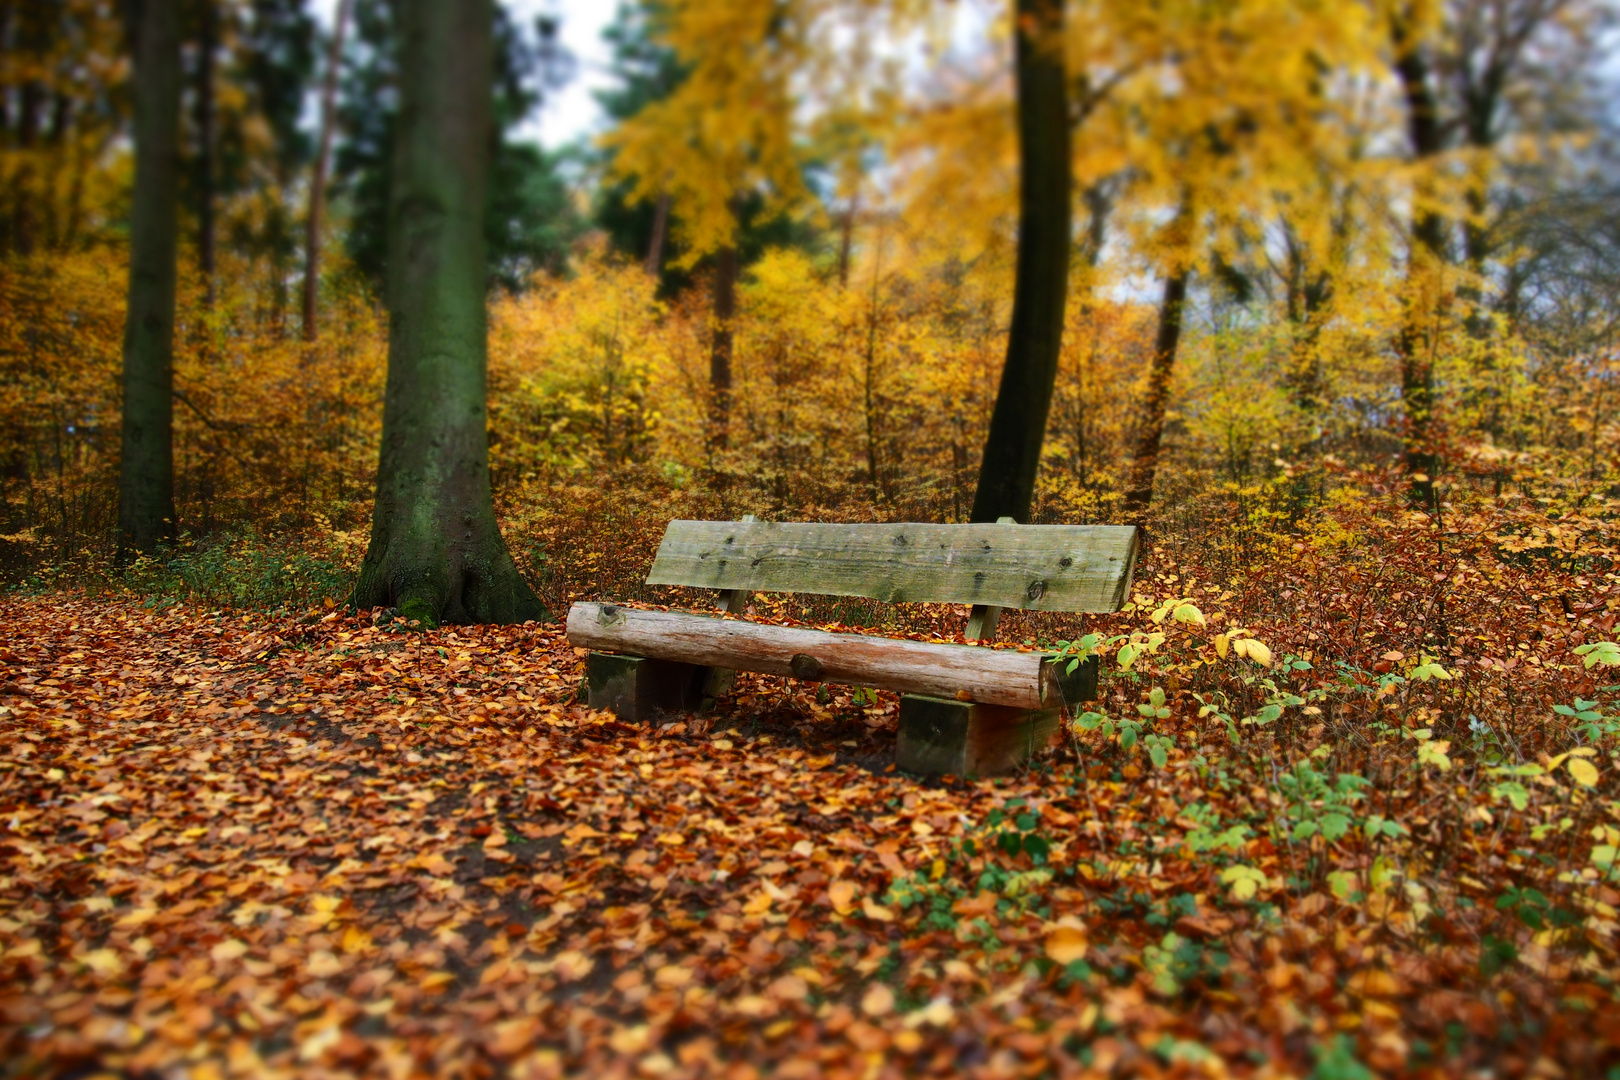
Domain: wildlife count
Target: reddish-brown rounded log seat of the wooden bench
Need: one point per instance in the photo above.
(1026, 681)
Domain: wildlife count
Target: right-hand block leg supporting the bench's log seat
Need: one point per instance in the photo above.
(965, 739)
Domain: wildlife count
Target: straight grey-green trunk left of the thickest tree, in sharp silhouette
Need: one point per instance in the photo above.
(147, 469)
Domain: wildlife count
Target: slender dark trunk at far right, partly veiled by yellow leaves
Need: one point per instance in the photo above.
(1425, 270)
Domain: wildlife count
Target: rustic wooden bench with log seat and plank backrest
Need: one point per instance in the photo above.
(965, 710)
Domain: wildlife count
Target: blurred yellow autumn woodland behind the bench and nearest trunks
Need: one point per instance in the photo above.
(1362, 205)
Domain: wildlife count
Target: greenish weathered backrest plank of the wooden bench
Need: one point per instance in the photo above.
(1033, 568)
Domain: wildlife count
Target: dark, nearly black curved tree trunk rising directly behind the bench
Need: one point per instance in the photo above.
(1018, 427)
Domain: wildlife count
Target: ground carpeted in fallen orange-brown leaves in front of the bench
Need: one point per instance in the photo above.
(244, 844)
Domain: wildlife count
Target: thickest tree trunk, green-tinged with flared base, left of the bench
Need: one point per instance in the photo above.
(437, 553)
